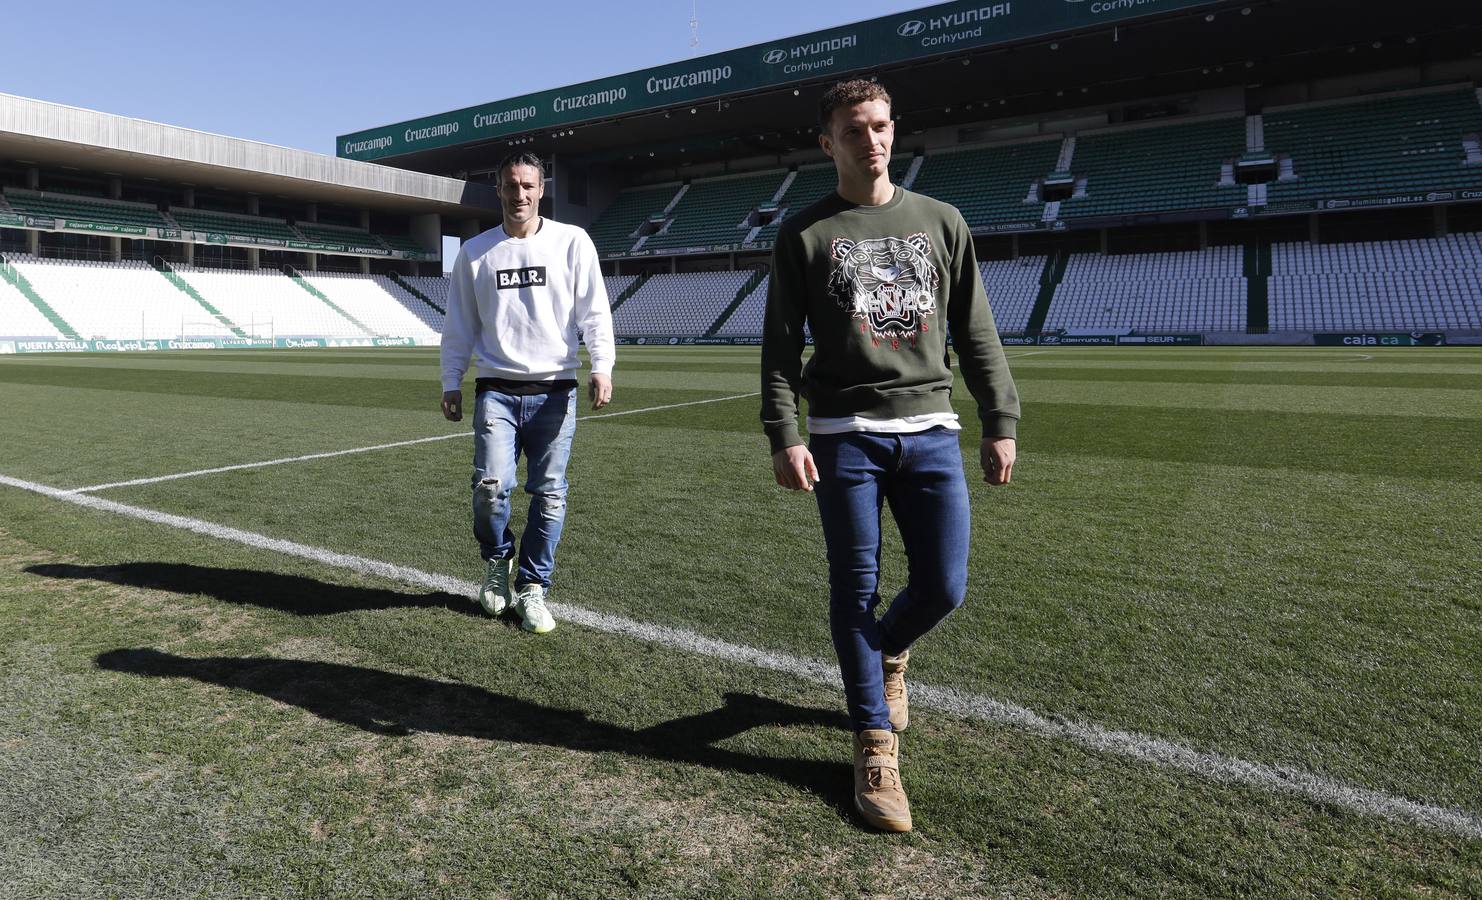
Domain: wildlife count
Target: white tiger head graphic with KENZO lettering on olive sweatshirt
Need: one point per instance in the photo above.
(888, 284)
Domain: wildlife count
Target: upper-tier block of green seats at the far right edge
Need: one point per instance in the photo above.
(1375, 148)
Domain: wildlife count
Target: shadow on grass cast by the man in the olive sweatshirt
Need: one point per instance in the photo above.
(401, 705)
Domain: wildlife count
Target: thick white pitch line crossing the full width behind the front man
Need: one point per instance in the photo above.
(1132, 745)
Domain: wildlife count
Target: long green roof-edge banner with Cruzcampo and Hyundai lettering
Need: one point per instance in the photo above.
(902, 38)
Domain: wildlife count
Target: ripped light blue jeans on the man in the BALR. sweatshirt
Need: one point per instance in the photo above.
(542, 428)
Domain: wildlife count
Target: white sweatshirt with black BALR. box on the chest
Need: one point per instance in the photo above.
(519, 306)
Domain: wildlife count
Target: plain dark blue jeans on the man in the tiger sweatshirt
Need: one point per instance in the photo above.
(921, 478)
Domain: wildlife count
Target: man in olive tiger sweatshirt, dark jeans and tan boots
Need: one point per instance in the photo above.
(880, 277)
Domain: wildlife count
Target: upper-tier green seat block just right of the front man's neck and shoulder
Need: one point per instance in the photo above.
(991, 185)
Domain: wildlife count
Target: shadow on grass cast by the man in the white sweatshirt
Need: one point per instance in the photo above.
(248, 588)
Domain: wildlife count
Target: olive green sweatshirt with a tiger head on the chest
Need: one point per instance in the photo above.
(880, 288)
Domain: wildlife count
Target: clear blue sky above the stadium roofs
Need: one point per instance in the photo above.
(302, 73)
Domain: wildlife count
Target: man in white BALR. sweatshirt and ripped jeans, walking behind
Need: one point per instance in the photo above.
(521, 299)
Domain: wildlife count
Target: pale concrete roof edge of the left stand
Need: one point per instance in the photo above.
(51, 134)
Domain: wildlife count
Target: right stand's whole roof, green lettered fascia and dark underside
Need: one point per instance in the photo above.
(1026, 59)
